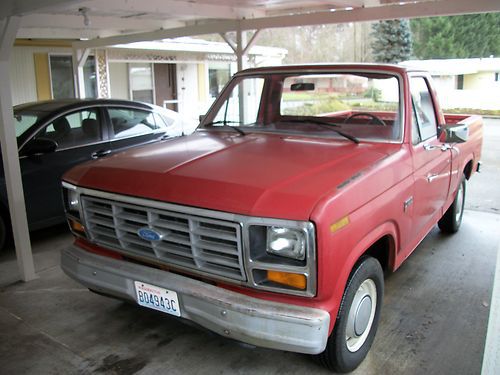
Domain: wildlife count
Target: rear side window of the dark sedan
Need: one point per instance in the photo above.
(129, 122)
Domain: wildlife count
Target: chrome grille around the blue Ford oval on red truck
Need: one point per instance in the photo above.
(198, 243)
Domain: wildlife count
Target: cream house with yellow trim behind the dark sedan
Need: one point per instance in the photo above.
(183, 74)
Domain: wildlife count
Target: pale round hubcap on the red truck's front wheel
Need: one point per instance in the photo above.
(361, 315)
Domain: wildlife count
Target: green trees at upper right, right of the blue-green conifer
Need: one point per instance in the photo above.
(457, 37)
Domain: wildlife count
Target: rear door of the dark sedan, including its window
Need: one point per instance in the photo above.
(132, 127)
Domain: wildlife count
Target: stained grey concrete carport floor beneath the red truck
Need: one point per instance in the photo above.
(434, 318)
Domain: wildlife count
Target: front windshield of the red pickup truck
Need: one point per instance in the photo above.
(349, 105)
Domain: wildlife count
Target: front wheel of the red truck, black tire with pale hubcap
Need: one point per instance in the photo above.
(357, 319)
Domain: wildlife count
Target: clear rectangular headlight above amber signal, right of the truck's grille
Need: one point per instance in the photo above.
(286, 242)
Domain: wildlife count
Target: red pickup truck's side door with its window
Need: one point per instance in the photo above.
(431, 160)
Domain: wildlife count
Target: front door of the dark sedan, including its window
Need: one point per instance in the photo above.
(79, 136)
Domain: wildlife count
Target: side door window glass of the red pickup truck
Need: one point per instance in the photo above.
(423, 108)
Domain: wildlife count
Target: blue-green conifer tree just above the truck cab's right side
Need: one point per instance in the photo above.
(392, 42)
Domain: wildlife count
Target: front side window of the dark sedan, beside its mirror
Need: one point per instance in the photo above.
(74, 129)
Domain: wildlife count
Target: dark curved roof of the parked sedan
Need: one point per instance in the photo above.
(59, 105)
